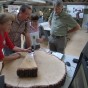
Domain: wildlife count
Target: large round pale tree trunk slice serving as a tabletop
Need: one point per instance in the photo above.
(51, 72)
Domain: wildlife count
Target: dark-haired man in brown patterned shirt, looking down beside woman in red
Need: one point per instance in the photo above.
(20, 26)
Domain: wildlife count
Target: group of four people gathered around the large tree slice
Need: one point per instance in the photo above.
(26, 23)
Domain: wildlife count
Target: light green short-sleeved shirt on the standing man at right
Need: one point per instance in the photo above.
(61, 23)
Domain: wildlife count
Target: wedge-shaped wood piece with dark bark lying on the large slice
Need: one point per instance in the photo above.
(28, 67)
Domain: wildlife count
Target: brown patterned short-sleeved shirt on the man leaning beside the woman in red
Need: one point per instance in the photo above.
(18, 28)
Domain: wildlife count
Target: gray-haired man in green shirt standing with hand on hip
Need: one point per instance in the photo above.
(60, 21)
